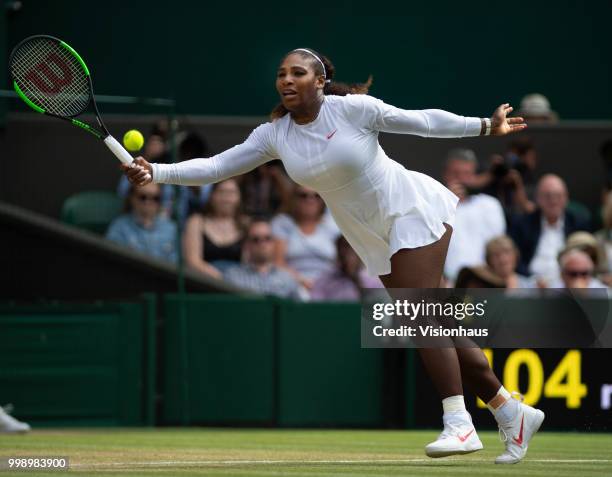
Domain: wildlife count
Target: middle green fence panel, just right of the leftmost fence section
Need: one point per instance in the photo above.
(219, 360)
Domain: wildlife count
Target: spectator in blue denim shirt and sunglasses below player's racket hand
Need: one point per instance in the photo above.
(142, 227)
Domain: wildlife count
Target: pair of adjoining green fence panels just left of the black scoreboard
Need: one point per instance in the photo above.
(267, 362)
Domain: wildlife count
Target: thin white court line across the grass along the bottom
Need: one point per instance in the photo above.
(169, 463)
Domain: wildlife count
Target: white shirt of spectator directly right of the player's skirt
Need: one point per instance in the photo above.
(479, 218)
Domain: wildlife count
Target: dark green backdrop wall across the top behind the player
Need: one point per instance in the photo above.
(220, 57)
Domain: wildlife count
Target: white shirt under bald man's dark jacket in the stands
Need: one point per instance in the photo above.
(544, 263)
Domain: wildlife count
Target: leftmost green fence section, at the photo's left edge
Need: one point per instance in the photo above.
(83, 365)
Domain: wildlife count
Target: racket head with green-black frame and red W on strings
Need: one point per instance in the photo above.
(50, 76)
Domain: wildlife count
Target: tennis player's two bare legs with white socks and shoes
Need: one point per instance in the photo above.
(422, 268)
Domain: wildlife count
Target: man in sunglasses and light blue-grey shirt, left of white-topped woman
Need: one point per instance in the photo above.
(258, 273)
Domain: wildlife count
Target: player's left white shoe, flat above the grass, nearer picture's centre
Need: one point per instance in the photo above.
(458, 437)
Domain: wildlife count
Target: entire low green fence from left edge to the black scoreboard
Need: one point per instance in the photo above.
(224, 360)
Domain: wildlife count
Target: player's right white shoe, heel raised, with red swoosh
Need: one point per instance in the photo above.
(517, 433)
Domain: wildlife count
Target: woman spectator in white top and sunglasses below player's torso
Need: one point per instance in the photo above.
(305, 237)
